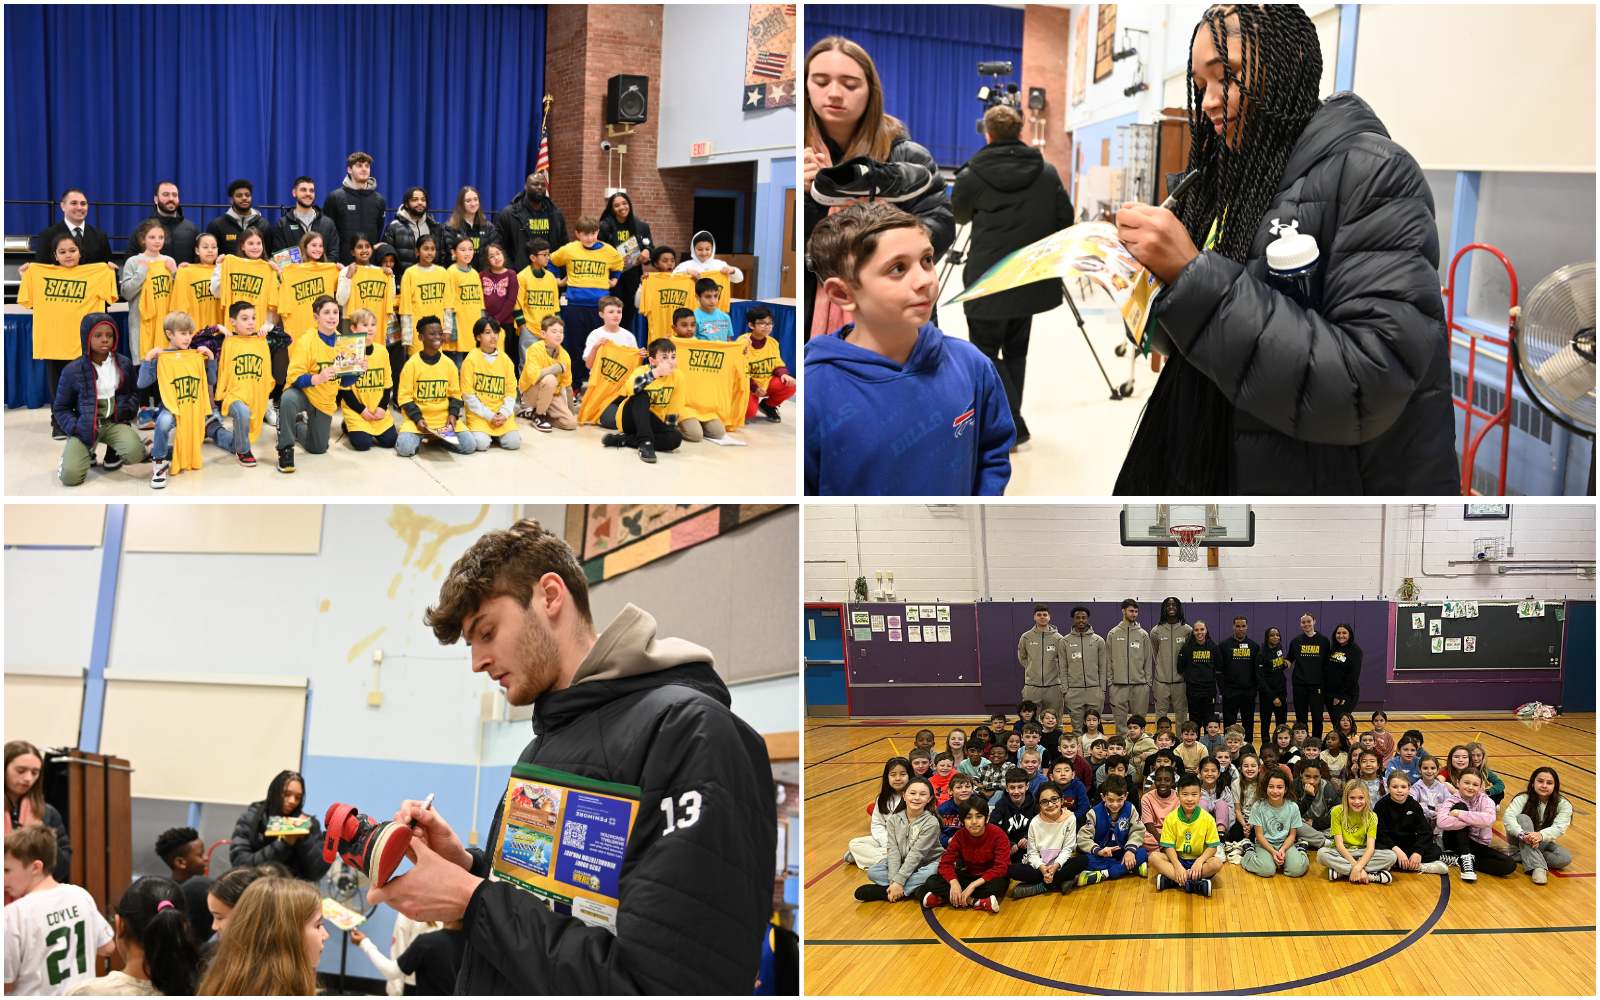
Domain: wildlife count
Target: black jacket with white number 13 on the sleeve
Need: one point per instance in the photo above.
(694, 900)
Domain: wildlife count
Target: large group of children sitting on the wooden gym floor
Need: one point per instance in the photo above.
(1033, 809)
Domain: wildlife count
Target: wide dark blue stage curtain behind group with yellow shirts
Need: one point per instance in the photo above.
(118, 98)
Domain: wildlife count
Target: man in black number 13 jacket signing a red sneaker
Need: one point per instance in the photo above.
(626, 708)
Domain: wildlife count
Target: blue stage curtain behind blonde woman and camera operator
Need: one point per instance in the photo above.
(927, 57)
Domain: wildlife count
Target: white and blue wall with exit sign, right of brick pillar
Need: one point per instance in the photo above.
(700, 105)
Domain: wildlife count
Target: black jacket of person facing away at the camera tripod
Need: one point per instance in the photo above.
(1012, 198)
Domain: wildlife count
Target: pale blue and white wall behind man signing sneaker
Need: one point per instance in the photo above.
(321, 617)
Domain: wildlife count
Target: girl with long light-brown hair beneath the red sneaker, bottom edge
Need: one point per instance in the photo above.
(273, 943)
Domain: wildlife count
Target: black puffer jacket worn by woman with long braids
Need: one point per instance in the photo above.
(1354, 399)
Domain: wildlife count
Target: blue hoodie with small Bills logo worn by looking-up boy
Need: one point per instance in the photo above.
(937, 426)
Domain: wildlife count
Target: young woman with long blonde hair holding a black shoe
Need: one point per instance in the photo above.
(844, 119)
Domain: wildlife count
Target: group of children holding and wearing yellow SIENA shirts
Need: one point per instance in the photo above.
(234, 342)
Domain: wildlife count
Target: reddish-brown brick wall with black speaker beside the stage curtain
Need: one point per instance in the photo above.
(585, 47)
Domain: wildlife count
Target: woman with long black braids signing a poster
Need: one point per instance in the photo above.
(1343, 388)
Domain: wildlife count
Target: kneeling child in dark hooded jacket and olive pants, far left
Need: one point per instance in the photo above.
(97, 402)
